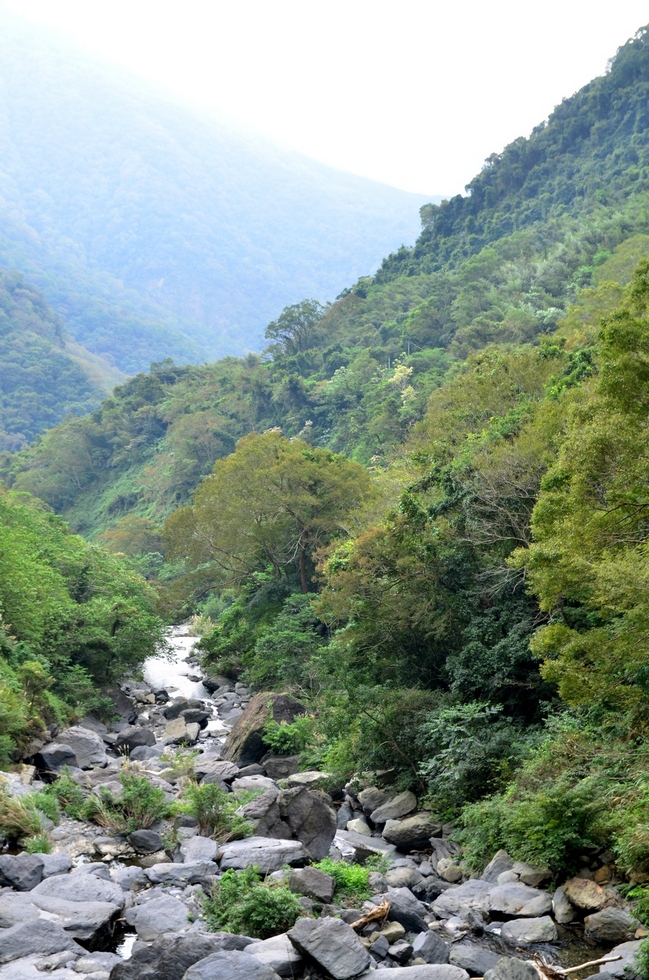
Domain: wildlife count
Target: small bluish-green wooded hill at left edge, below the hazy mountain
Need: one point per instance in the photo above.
(44, 376)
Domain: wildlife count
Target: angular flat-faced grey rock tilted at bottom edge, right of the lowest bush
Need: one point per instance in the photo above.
(332, 945)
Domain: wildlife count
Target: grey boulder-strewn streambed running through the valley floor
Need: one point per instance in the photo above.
(58, 911)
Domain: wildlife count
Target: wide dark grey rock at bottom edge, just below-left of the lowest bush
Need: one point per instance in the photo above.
(172, 956)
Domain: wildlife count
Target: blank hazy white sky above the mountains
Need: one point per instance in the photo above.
(414, 94)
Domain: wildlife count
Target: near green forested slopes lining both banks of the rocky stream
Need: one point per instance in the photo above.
(423, 510)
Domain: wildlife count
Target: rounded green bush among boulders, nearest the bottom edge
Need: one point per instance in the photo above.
(241, 903)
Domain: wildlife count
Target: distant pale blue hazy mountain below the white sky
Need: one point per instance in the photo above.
(154, 232)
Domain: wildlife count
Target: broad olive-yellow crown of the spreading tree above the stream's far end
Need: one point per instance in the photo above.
(273, 502)
